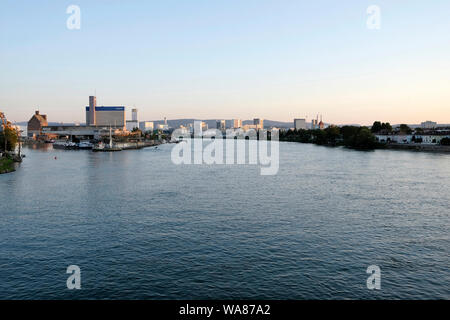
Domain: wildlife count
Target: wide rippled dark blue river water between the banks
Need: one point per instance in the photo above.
(141, 227)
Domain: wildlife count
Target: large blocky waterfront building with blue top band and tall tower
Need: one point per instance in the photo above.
(113, 116)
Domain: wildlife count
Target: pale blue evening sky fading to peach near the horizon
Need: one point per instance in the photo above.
(215, 59)
